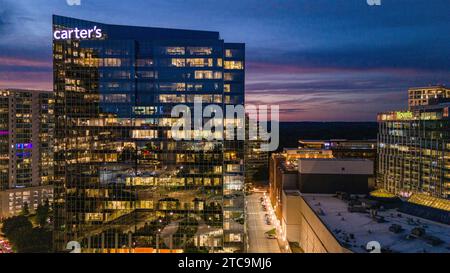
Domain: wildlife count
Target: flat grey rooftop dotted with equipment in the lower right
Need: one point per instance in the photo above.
(355, 230)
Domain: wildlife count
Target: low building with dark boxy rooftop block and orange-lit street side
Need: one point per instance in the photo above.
(317, 175)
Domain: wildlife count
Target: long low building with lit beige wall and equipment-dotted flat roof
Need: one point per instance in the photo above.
(324, 223)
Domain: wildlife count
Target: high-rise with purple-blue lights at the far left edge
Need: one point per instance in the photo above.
(26, 151)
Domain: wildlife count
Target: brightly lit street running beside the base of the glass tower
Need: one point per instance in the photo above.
(257, 227)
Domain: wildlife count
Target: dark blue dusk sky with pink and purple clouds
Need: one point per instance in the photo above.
(321, 60)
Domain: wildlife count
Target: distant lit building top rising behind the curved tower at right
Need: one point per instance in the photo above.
(421, 96)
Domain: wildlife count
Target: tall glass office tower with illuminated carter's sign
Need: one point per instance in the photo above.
(123, 184)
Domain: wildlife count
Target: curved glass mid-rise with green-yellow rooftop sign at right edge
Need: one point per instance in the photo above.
(414, 151)
